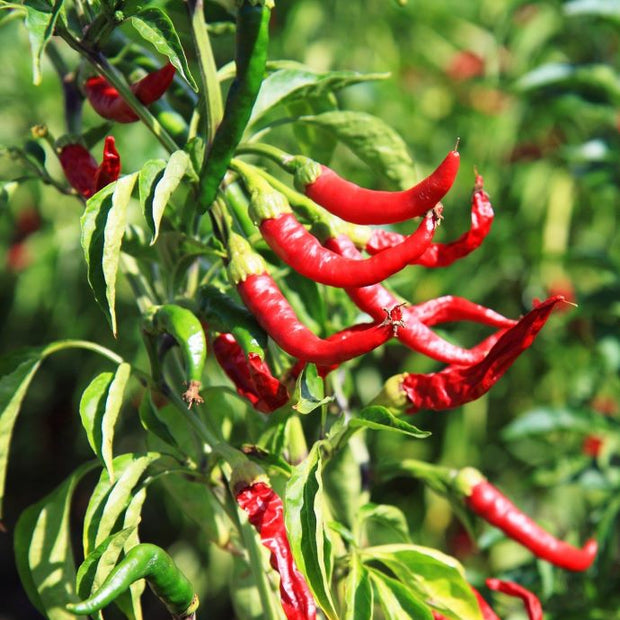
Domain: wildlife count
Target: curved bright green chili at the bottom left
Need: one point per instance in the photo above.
(144, 561)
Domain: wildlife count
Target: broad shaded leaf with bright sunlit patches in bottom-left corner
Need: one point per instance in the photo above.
(43, 553)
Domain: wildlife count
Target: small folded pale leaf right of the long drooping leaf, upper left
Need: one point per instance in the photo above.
(158, 181)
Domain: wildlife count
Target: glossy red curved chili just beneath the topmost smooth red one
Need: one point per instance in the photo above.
(303, 252)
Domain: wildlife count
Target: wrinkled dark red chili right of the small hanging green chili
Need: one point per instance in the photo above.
(251, 375)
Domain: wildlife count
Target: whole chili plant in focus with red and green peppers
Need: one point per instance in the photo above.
(240, 247)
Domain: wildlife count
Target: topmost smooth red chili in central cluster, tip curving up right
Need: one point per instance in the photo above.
(365, 206)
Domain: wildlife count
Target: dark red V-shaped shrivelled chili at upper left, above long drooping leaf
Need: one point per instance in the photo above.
(82, 171)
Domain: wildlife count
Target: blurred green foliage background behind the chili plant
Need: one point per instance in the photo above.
(546, 141)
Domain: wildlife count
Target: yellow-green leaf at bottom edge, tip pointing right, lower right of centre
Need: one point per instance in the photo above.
(430, 576)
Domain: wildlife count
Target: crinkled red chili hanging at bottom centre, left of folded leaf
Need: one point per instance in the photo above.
(266, 513)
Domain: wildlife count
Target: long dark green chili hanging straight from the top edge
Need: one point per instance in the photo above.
(252, 40)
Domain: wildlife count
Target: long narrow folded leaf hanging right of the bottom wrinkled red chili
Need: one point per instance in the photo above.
(306, 529)
